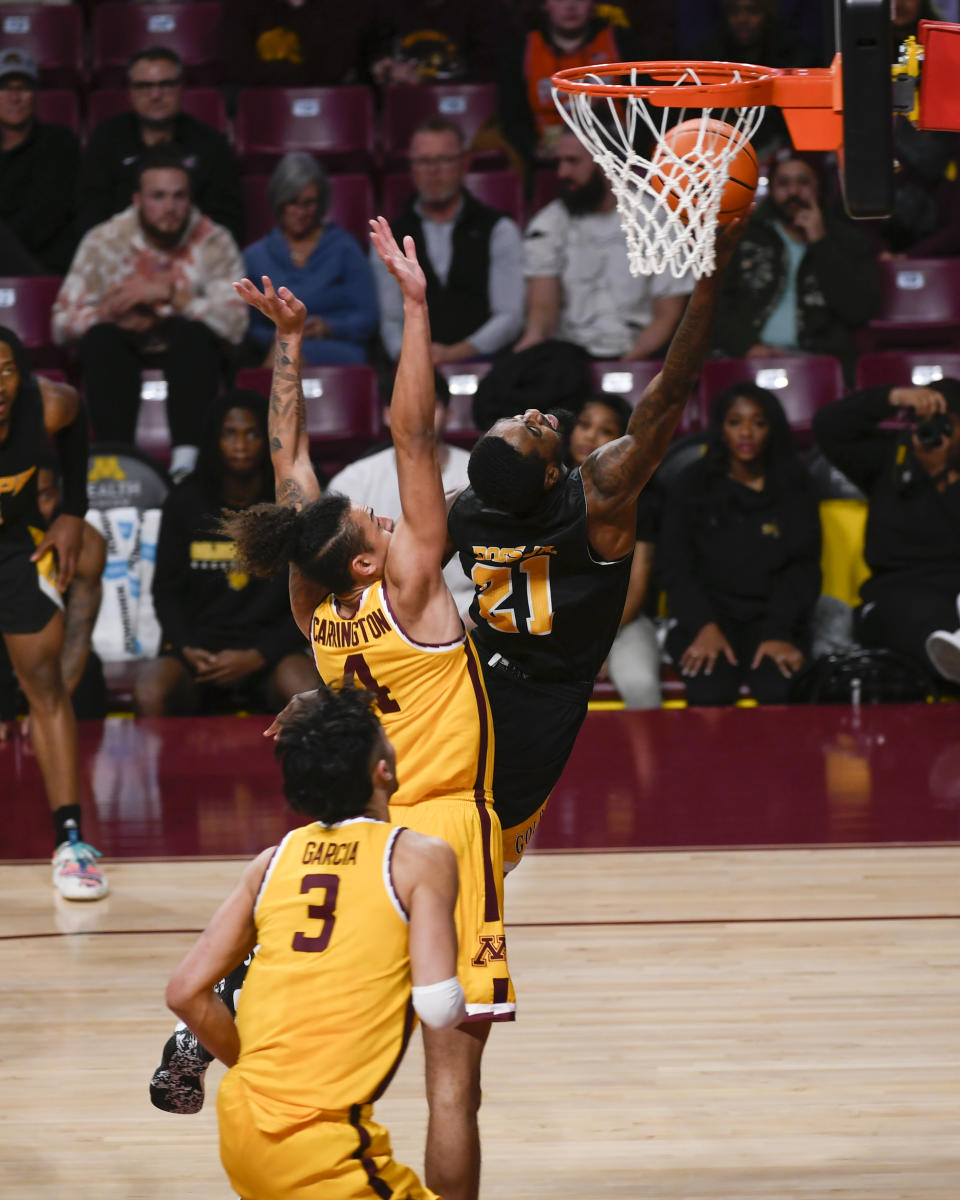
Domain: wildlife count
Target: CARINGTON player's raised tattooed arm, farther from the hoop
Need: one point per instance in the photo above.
(290, 448)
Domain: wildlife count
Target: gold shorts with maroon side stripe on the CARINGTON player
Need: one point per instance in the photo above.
(473, 830)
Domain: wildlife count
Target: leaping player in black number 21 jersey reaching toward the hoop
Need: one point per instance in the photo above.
(550, 555)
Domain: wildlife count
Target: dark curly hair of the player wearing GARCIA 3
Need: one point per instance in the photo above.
(327, 751)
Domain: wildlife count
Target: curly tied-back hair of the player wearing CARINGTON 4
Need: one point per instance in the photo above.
(321, 541)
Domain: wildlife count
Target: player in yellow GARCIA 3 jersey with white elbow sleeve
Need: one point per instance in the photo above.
(353, 922)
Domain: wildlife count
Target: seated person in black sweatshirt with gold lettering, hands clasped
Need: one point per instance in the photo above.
(229, 639)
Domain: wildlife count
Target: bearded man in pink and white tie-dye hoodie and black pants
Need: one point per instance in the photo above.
(153, 287)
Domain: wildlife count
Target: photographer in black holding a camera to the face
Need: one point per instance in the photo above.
(910, 477)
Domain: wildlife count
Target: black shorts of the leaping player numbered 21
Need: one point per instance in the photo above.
(536, 725)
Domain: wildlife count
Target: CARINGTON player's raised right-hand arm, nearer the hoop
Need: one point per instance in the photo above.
(415, 565)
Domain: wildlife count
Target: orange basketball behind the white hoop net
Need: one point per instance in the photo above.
(697, 157)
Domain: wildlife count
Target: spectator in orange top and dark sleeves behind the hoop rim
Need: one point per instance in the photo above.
(569, 34)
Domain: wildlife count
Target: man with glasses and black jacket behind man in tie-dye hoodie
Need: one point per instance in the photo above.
(112, 160)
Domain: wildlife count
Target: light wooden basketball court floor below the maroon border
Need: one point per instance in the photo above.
(699, 1025)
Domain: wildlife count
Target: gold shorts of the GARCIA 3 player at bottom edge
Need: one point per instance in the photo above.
(271, 1155)
